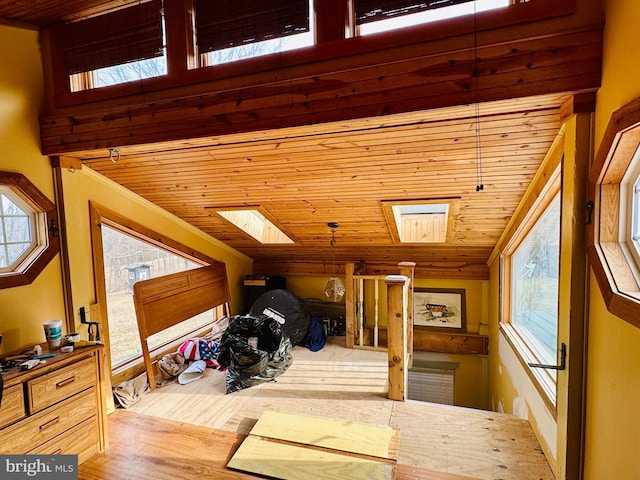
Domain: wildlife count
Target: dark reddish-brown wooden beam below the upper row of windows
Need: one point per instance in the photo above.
(562, 62)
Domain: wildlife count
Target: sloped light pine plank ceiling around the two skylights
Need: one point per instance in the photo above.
(340, 172)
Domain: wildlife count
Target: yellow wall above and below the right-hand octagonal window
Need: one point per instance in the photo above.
(613, 375)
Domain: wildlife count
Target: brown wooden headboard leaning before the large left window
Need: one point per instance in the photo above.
(166, 301)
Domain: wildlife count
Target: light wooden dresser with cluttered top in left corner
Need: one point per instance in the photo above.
(56, 407)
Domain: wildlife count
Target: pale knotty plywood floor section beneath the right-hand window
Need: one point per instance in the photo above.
(469, 442)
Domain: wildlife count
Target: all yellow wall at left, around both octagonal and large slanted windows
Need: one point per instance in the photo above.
(23, 309)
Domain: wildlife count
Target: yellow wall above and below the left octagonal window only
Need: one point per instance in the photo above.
(23, 309)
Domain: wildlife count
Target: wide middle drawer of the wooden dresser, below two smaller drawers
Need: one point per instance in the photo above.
(32, 431)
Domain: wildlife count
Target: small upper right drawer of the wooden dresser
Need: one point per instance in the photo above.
(60, 384)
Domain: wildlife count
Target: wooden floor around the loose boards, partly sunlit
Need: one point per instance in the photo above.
(196, 428)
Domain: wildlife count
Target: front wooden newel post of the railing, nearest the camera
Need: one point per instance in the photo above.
(397, 297)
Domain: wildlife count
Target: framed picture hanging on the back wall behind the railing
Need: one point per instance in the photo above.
(440, 308)
